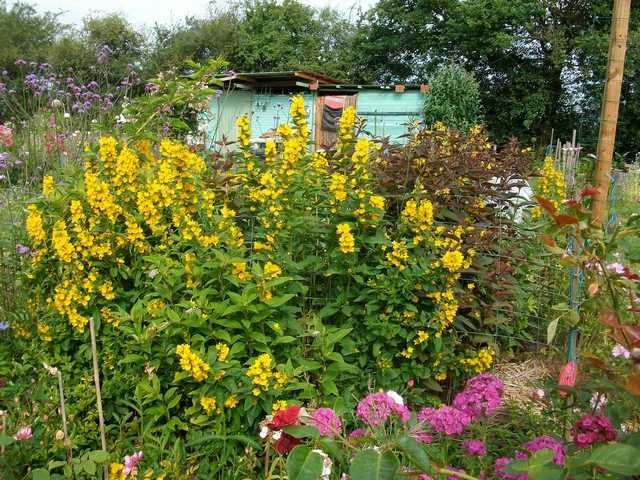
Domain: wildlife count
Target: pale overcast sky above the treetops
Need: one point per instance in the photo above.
(148, 12)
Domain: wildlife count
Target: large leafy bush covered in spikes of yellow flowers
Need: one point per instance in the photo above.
(219, 294)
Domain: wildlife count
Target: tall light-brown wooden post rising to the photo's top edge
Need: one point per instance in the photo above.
(610, 106)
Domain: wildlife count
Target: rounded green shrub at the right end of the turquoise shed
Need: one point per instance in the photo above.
(453, 98)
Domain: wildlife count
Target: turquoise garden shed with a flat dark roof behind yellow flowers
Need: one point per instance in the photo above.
(265, 97)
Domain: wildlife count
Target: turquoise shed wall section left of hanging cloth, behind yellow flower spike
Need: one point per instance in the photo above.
(270, 110)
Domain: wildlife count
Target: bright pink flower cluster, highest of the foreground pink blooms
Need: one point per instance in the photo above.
(482, 396)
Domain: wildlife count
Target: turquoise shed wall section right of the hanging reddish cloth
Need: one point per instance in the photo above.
(387, 112)
